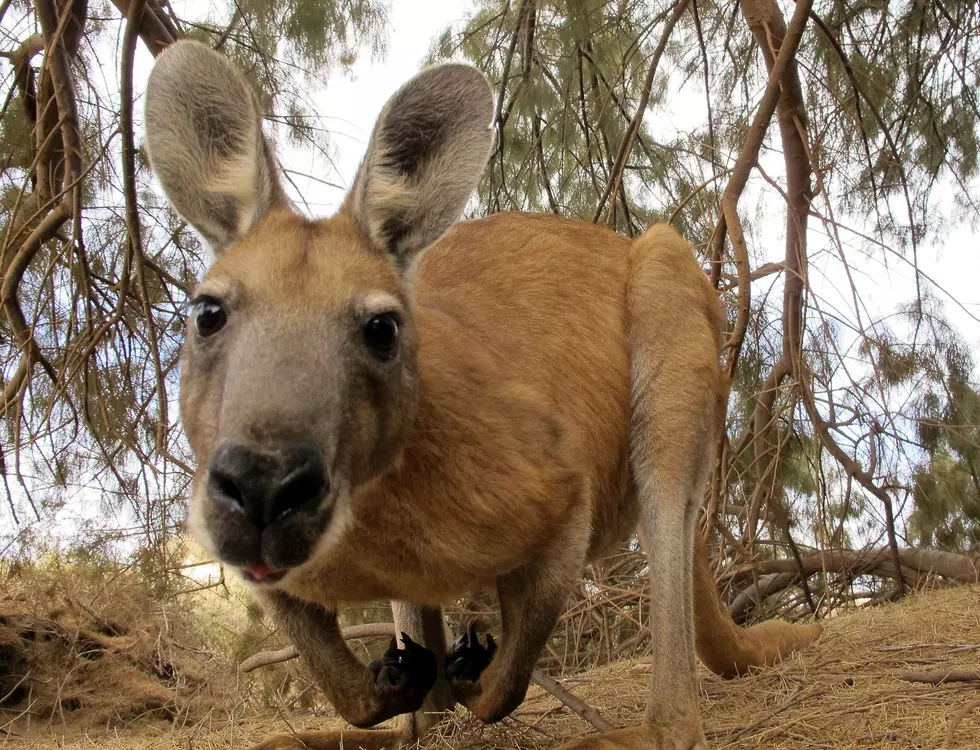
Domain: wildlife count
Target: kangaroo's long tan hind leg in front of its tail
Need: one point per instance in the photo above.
(675, 386)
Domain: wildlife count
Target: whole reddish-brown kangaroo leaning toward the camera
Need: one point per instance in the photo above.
(388, 404)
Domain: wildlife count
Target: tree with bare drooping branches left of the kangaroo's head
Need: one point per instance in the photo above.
(96, 267)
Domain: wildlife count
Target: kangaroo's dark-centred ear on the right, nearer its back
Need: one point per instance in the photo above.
(426, 154)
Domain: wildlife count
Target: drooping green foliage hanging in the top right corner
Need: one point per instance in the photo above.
(907, 76)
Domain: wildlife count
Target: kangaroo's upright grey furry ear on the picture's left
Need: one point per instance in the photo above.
(205, 143)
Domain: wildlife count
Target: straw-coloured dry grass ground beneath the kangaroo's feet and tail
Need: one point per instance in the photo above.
(846, 691)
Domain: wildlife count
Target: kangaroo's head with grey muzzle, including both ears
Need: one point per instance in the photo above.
(298, 371)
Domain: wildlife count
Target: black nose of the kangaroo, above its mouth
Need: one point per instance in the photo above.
(266, 483)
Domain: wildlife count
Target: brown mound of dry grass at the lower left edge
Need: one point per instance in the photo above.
(91, 650)
